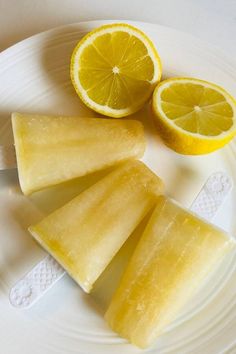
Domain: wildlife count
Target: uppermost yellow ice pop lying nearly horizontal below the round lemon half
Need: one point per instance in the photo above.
(51, 149)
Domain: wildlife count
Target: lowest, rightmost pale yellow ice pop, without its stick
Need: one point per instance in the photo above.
(173, 256)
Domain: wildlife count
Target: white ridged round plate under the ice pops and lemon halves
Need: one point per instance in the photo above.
(34, 77)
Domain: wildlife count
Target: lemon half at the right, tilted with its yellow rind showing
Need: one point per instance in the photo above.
(194, 116)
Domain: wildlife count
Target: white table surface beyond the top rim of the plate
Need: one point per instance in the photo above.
(211, 20)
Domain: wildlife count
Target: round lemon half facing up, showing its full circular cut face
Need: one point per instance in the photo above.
(114, 69)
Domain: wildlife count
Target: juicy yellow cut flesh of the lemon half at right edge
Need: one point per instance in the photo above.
(197, 109)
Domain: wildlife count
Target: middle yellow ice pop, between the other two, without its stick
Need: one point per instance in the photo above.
(85, 234)
